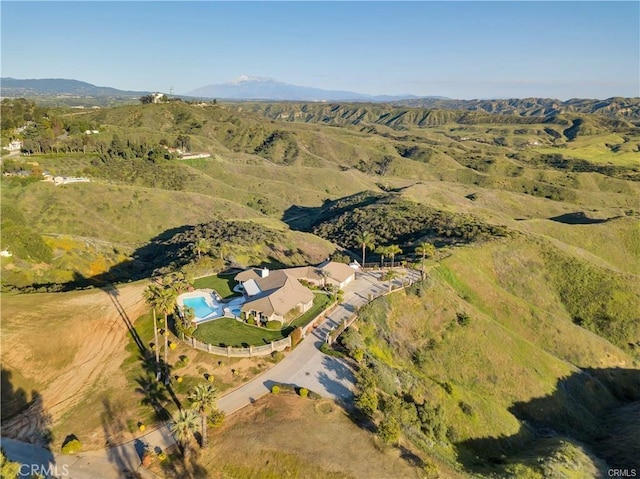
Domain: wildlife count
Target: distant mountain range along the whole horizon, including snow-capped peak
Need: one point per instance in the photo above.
(243, 88)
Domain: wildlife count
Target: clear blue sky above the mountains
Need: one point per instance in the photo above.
(455, 49)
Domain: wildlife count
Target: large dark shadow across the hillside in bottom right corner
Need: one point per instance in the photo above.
(587, 408)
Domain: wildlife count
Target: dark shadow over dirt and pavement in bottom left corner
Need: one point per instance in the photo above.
(25, 420)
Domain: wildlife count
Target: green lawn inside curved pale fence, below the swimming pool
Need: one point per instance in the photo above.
(230, 332)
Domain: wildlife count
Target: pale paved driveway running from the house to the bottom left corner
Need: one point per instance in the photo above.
(305, 367)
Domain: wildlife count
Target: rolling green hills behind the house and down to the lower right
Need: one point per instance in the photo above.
(520, 353)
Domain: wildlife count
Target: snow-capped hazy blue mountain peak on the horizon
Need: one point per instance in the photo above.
(256, 88)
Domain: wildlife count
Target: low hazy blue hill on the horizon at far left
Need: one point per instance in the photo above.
(13, 87)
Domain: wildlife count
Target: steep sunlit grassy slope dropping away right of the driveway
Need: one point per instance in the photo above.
(483, 364)
